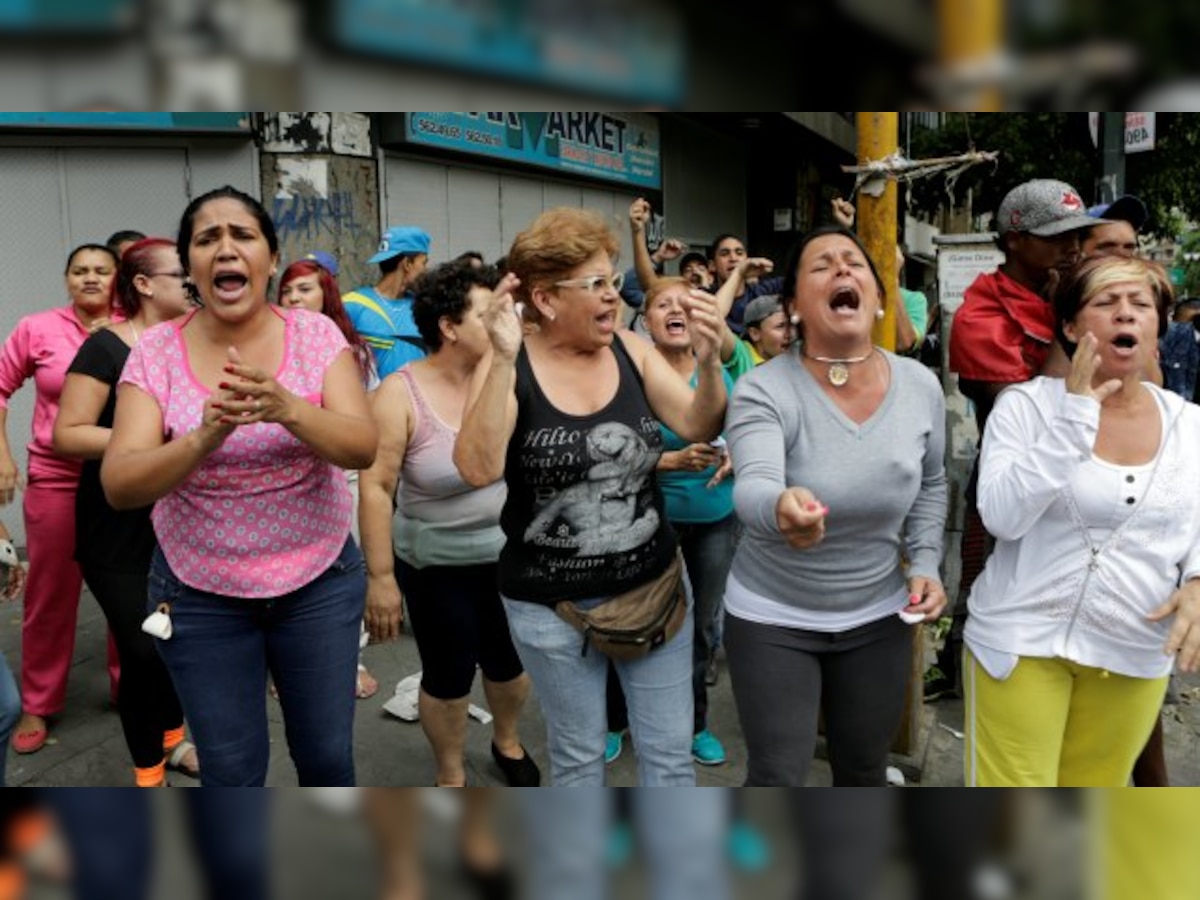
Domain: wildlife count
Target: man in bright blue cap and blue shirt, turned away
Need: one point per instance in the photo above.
(383, 314)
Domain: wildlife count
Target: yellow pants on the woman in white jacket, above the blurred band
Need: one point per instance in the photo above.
(1055, 724)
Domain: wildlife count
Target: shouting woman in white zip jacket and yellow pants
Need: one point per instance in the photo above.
(1089, 487)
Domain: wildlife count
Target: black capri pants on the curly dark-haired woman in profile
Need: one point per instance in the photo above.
(459, 622)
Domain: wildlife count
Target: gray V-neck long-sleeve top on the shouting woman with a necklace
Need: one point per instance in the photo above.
(884, 483)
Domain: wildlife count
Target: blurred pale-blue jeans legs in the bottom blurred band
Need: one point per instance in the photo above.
(681, 836)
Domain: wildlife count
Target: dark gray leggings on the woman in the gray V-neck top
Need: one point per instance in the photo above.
(783, 679)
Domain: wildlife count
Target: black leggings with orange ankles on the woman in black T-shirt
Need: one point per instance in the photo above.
(147, 700)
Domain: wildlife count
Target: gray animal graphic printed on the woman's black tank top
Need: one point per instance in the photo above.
(599, 515)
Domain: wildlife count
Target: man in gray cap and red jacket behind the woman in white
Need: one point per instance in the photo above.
(1003, 335)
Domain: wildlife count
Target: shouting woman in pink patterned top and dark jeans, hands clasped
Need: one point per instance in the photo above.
(237, 422)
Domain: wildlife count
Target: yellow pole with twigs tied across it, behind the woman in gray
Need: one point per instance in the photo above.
(879, 137)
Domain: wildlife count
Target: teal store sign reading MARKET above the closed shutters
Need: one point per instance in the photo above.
(615, 147)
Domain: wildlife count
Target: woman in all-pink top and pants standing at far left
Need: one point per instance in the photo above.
(41, 347)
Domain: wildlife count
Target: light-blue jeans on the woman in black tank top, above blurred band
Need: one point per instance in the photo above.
(571, 689)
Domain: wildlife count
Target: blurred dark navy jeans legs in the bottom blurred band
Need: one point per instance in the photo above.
(111, 837)
